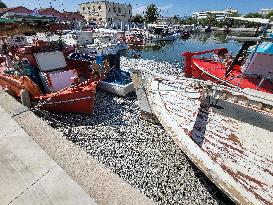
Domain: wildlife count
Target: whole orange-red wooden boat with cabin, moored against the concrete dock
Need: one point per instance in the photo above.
(63, 88)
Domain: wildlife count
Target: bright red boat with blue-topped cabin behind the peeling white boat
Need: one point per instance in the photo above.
(253, 70)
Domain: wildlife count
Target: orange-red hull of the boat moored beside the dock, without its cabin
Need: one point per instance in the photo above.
(79, 98)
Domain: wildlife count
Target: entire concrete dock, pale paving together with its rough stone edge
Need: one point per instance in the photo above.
(39, 166)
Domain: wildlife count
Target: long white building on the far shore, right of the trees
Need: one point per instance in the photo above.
(220, 15)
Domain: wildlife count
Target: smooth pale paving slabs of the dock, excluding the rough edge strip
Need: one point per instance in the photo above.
(28, 175)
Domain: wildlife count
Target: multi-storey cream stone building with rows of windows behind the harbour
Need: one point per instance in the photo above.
(107, 14)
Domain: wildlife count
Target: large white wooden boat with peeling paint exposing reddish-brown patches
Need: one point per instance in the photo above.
(226, 132)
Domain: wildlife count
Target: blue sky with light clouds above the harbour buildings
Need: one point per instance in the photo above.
(167, 7)
